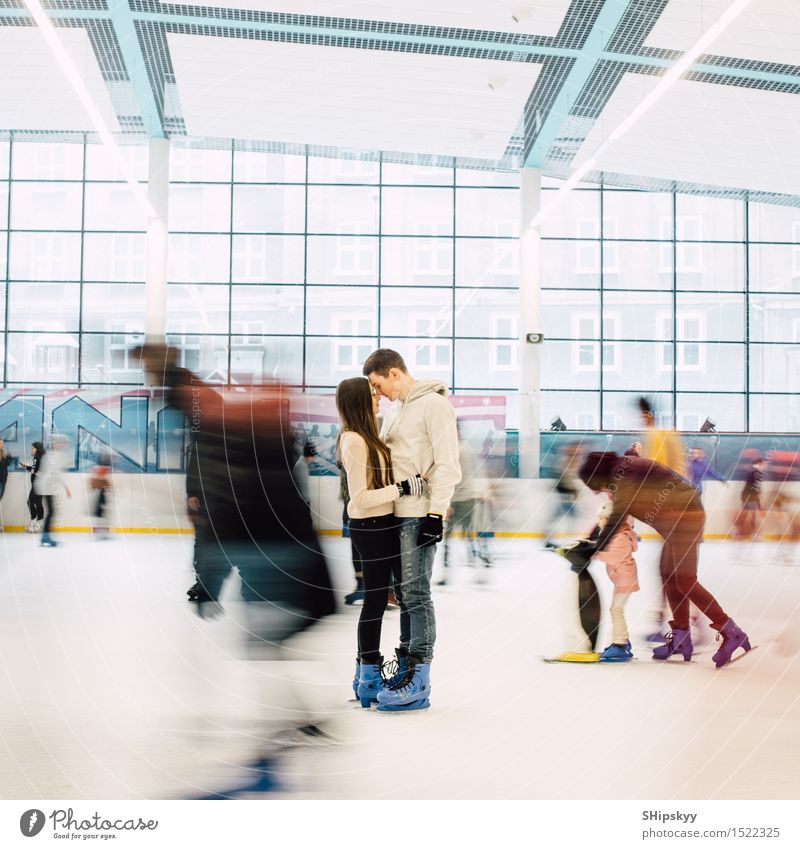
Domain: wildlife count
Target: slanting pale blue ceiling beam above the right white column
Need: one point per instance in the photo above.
(592, 52)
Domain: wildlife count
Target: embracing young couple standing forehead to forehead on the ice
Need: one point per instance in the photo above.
(401, 480)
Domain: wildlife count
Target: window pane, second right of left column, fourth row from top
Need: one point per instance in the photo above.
(260, 310)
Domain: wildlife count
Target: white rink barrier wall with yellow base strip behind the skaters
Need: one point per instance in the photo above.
(145, 503)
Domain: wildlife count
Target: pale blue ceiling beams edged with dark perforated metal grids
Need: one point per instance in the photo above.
(598, 42)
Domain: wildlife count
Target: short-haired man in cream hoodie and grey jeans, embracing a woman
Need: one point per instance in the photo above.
(420, 431)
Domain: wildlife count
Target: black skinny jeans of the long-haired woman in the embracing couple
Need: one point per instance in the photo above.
(377, 541)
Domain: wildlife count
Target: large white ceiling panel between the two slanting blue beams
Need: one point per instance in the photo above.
(362, 99)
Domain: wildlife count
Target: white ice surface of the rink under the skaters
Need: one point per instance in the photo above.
(112, 688)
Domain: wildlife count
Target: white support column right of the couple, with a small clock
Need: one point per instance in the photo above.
(530, 322)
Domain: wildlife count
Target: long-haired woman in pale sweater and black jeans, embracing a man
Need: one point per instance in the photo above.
(373, 527)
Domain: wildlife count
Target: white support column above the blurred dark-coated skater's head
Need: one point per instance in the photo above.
(157, 240)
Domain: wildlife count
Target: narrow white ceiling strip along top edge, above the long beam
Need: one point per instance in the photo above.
(542, 17)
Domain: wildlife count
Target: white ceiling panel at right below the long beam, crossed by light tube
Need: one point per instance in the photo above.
(703, 133)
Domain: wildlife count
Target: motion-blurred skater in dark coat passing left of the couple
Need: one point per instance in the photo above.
(253, 517)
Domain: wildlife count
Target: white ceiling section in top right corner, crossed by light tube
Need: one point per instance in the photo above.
(767, 30)
